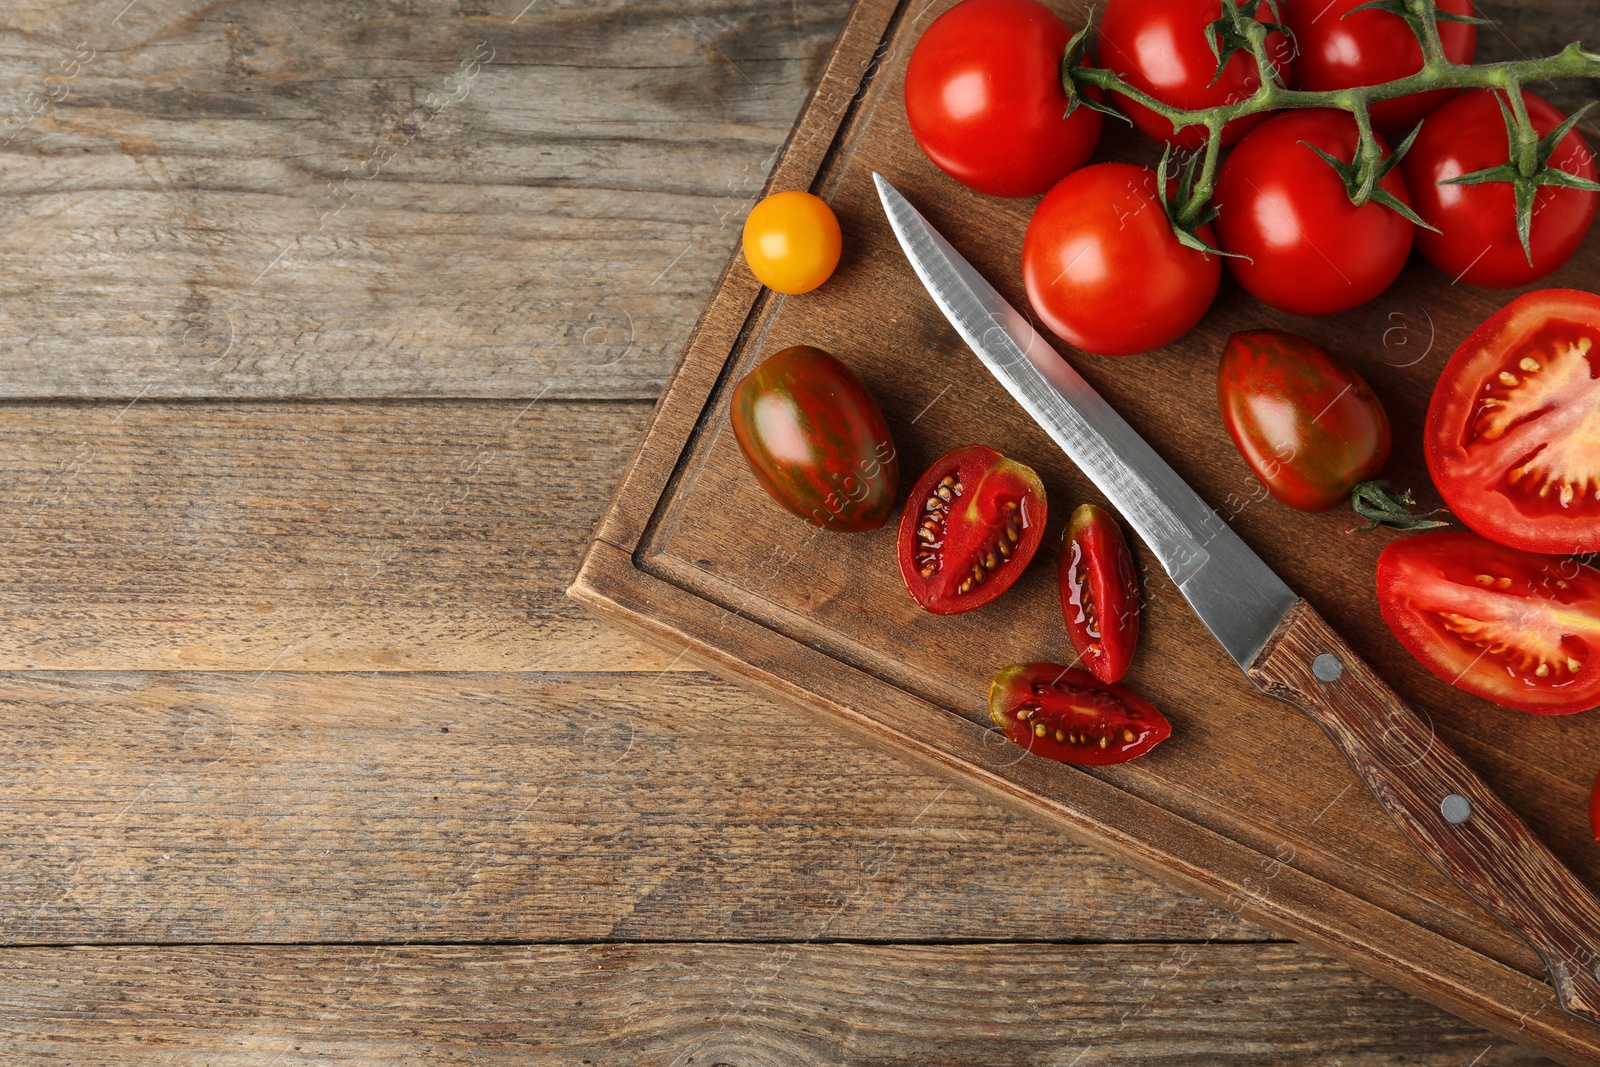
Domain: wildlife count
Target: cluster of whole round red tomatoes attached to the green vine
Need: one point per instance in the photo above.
(1102, 263)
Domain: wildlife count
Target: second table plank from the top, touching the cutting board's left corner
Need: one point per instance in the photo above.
(338, 537)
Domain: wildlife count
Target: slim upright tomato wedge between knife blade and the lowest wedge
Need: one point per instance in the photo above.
(1100, 593)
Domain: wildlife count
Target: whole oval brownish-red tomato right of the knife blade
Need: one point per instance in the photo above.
(1310, 426)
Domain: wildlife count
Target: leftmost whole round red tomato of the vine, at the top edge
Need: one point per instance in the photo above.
(985, 98)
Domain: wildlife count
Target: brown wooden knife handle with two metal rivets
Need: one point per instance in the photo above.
(1452, 817)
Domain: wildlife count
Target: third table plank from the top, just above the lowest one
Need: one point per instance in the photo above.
(294, 807)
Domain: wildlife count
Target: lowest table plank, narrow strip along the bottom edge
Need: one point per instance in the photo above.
(737, 1005)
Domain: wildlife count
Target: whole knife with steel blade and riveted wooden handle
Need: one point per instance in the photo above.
(1278, 639)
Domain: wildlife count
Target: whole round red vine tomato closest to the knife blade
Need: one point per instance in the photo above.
(1103, 268)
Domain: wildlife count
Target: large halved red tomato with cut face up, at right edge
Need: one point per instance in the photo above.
(1513, 433)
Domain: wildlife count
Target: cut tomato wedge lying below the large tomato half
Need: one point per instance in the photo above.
(1514, 628)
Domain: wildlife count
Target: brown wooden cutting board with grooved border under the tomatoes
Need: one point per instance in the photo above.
(1249, 804)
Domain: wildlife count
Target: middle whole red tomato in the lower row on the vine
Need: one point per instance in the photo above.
(1310, 250)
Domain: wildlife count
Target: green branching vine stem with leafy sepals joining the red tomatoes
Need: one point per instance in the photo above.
(1239, 30)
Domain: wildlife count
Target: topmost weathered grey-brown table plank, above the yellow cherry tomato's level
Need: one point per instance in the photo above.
(300, 199)
